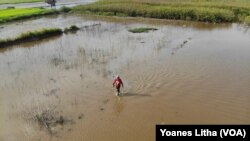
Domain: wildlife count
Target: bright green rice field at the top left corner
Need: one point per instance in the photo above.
(7, 15)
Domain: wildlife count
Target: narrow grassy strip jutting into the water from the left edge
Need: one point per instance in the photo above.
(30, 36)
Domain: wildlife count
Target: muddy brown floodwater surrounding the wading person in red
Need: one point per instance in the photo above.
(183, 73)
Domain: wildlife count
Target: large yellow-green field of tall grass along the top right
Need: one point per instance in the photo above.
(215, 11)
